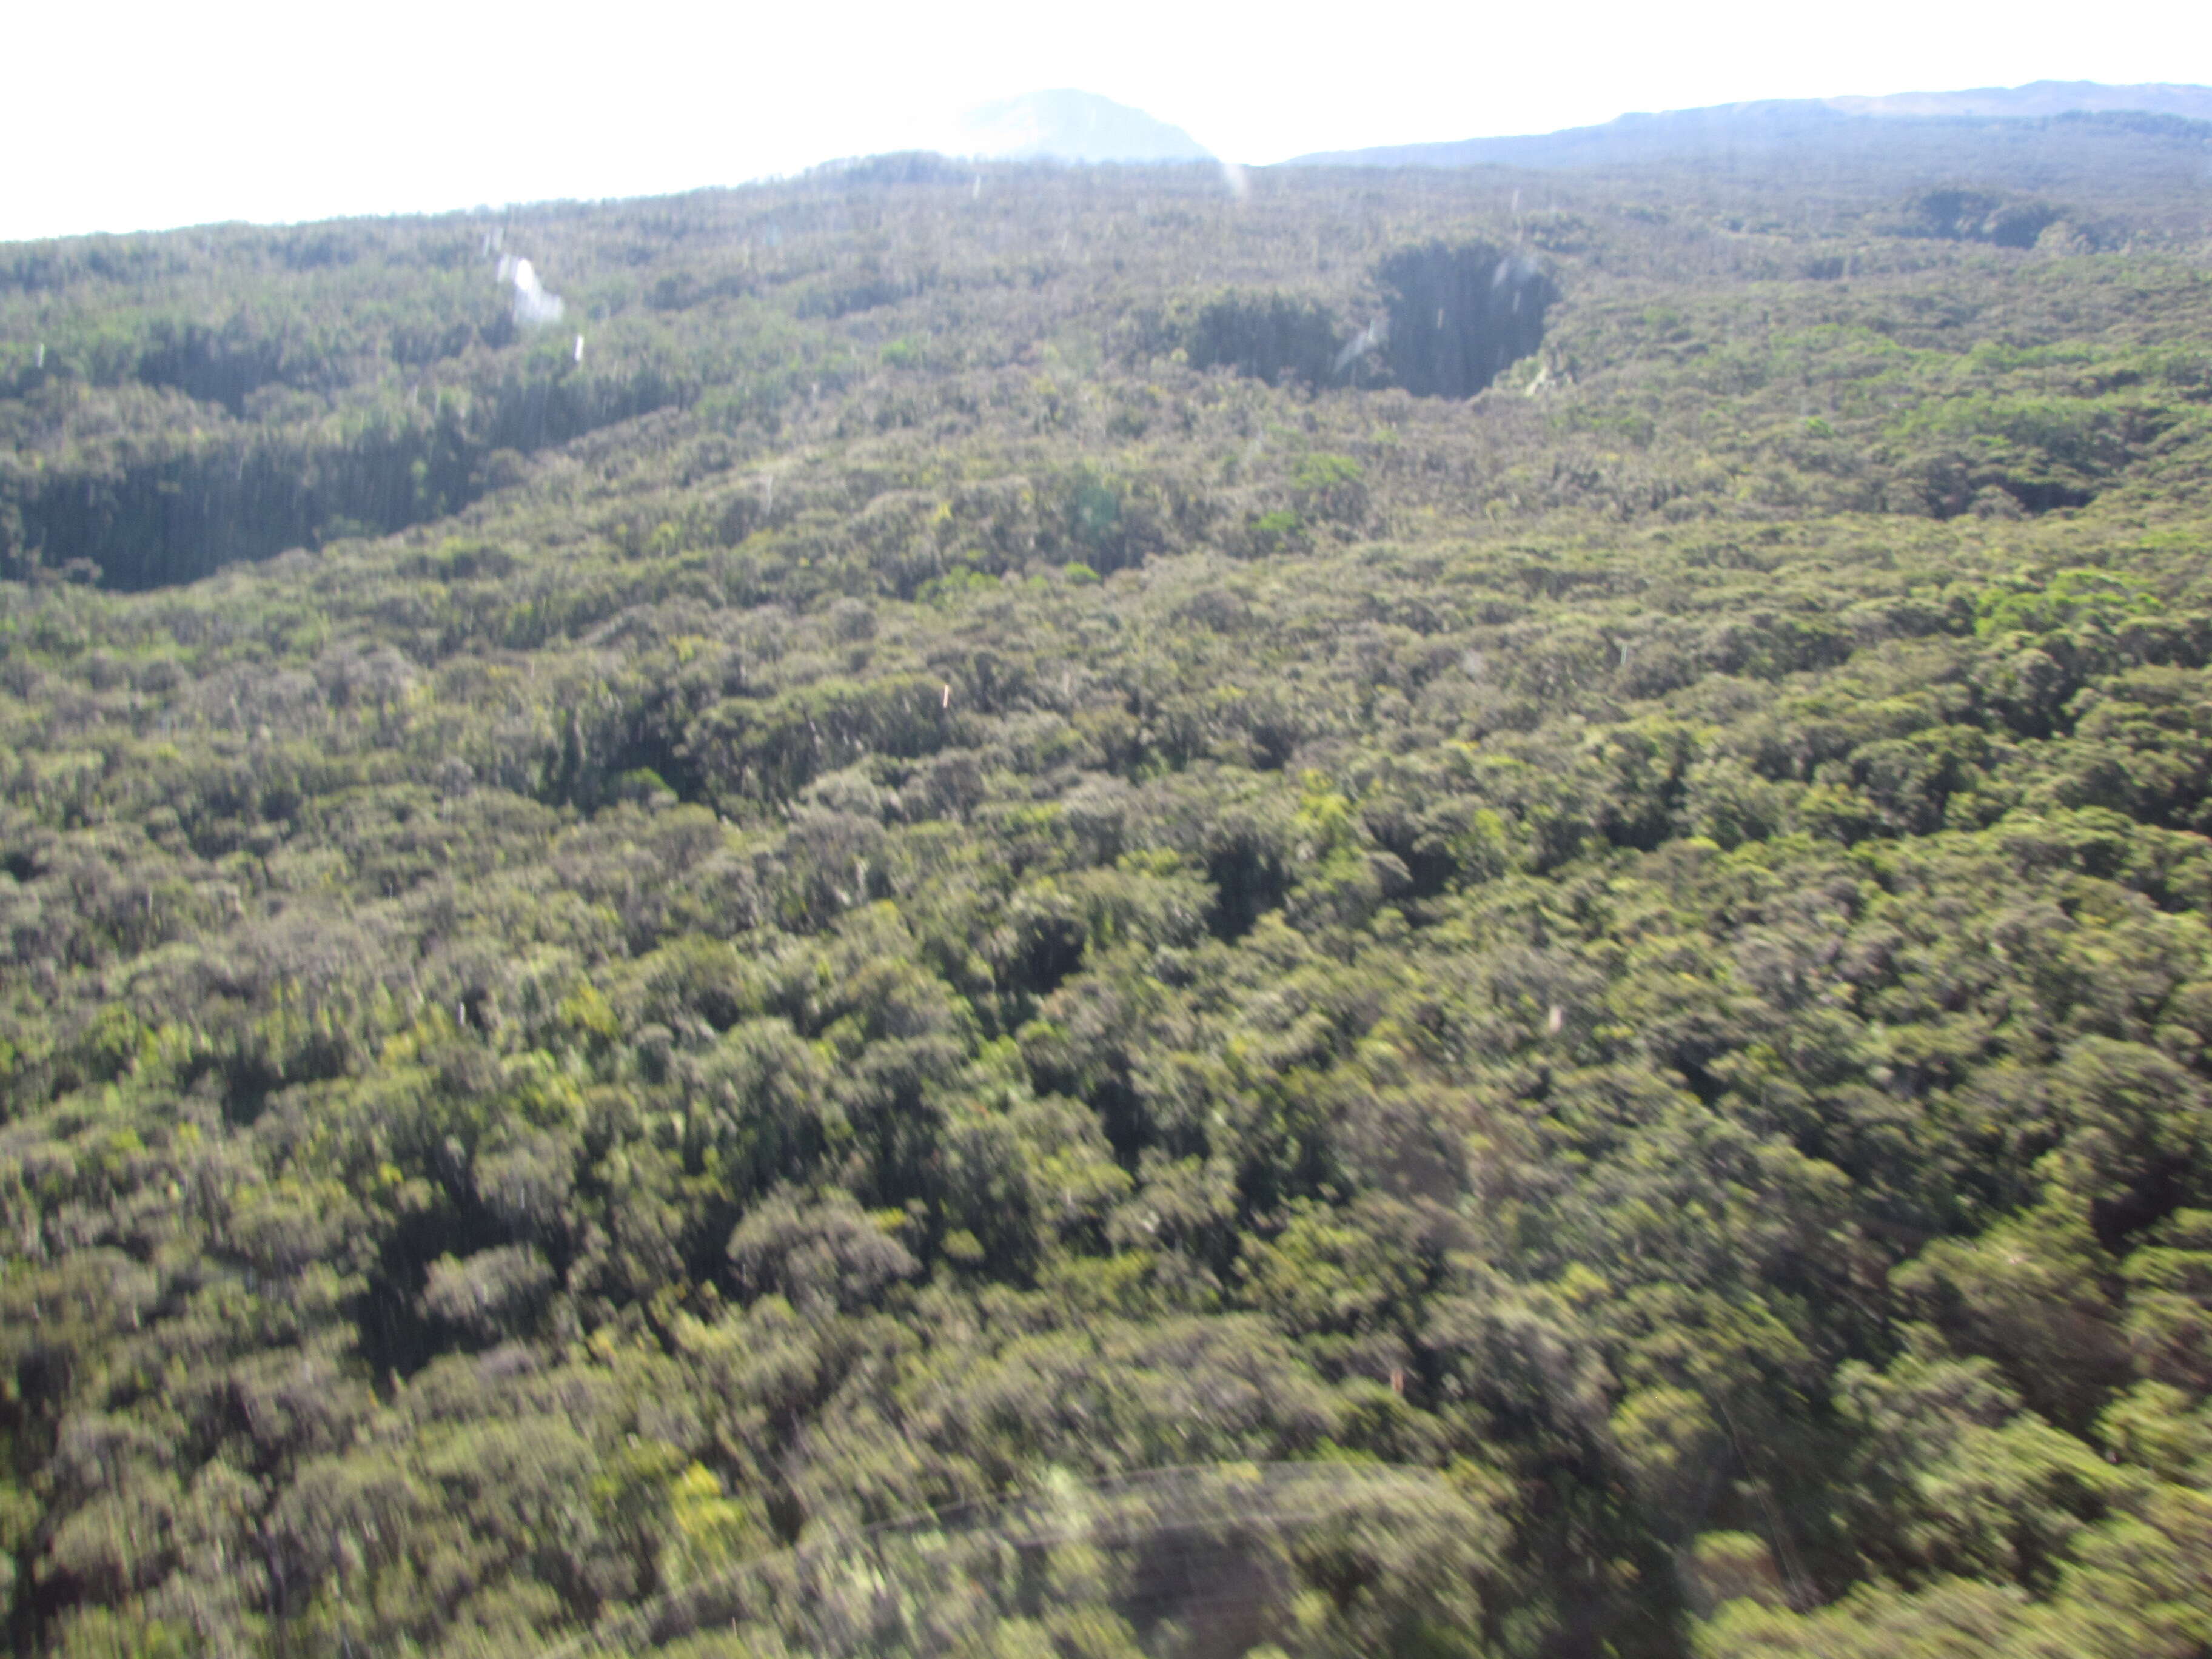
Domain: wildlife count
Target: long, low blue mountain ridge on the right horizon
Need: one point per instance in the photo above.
(1786, 125)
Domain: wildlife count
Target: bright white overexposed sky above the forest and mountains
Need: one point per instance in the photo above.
(132, 116)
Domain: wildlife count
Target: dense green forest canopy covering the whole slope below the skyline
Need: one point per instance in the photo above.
(1417, 912)
